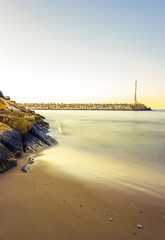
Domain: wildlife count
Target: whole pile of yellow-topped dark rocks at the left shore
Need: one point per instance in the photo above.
(21, 130)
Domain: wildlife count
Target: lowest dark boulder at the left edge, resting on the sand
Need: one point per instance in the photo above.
(7, 159)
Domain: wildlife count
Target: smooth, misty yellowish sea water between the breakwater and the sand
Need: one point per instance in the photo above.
(123, 149)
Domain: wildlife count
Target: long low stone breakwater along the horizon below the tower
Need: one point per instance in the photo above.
(86, 106)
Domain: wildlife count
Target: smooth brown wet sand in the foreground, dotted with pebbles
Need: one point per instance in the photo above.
(42, 206)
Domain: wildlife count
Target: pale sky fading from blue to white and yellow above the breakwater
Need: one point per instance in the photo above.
(83, 51)
